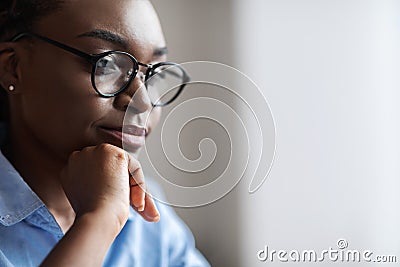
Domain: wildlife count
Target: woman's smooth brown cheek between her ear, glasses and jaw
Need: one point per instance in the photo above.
(59, 107)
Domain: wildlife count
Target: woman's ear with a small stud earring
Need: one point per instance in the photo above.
(9, 67)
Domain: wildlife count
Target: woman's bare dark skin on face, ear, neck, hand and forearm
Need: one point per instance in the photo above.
(57, 145)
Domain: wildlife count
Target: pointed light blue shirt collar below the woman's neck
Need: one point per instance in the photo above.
(17, 200)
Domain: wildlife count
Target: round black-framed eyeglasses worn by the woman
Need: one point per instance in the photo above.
(113, 71)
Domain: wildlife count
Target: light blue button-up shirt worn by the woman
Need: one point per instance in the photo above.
(28, 231)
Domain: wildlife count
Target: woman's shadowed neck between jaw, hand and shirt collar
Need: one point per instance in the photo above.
(40, 168)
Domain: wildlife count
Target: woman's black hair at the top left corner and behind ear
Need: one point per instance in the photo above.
(18, 16)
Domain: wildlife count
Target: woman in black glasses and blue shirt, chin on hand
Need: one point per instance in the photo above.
(69, 194)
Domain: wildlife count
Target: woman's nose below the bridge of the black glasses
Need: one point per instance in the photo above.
(135, 98)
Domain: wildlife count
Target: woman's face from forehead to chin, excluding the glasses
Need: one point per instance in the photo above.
(57, 104)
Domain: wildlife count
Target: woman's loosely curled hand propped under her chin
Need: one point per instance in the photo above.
(106, 178)
